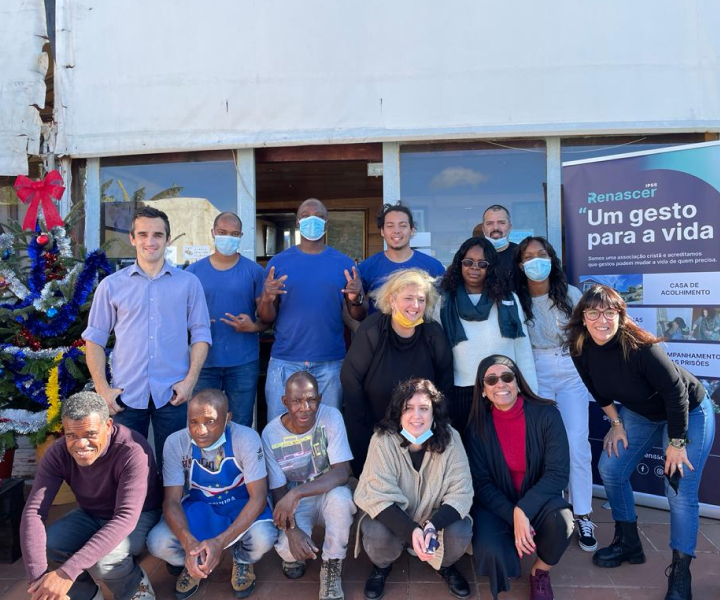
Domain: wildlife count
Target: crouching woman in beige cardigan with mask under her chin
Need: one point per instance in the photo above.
(415, 489)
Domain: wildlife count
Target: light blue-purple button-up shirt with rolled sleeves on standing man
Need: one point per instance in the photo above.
(151, 319)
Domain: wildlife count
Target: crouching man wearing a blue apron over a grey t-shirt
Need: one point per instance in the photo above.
(222, 466)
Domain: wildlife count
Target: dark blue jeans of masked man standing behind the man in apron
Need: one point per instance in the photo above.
(239, 384)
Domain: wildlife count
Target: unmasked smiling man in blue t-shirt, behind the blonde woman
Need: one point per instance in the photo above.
(397, 227)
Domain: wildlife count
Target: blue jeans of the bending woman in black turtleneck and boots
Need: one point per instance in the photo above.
(642, 436)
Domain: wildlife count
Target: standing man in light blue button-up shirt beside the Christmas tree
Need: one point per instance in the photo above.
(151, 307)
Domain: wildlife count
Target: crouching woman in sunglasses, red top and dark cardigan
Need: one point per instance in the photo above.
(519, 460)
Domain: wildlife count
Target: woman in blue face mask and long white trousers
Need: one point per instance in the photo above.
(548, 301)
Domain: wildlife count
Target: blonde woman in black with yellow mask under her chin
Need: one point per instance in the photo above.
(390, 346)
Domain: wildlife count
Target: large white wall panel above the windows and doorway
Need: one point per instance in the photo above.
(137, 76)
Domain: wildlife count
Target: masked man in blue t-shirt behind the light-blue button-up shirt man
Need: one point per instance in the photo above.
(233, 285)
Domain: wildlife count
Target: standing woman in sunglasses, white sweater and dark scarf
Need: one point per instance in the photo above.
(480, 317)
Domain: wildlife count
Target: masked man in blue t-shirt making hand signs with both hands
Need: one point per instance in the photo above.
(304, 293)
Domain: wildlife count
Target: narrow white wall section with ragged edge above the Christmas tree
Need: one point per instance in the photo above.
(22, 82)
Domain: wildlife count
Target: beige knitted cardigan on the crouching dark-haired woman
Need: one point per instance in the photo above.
(389, 478)
